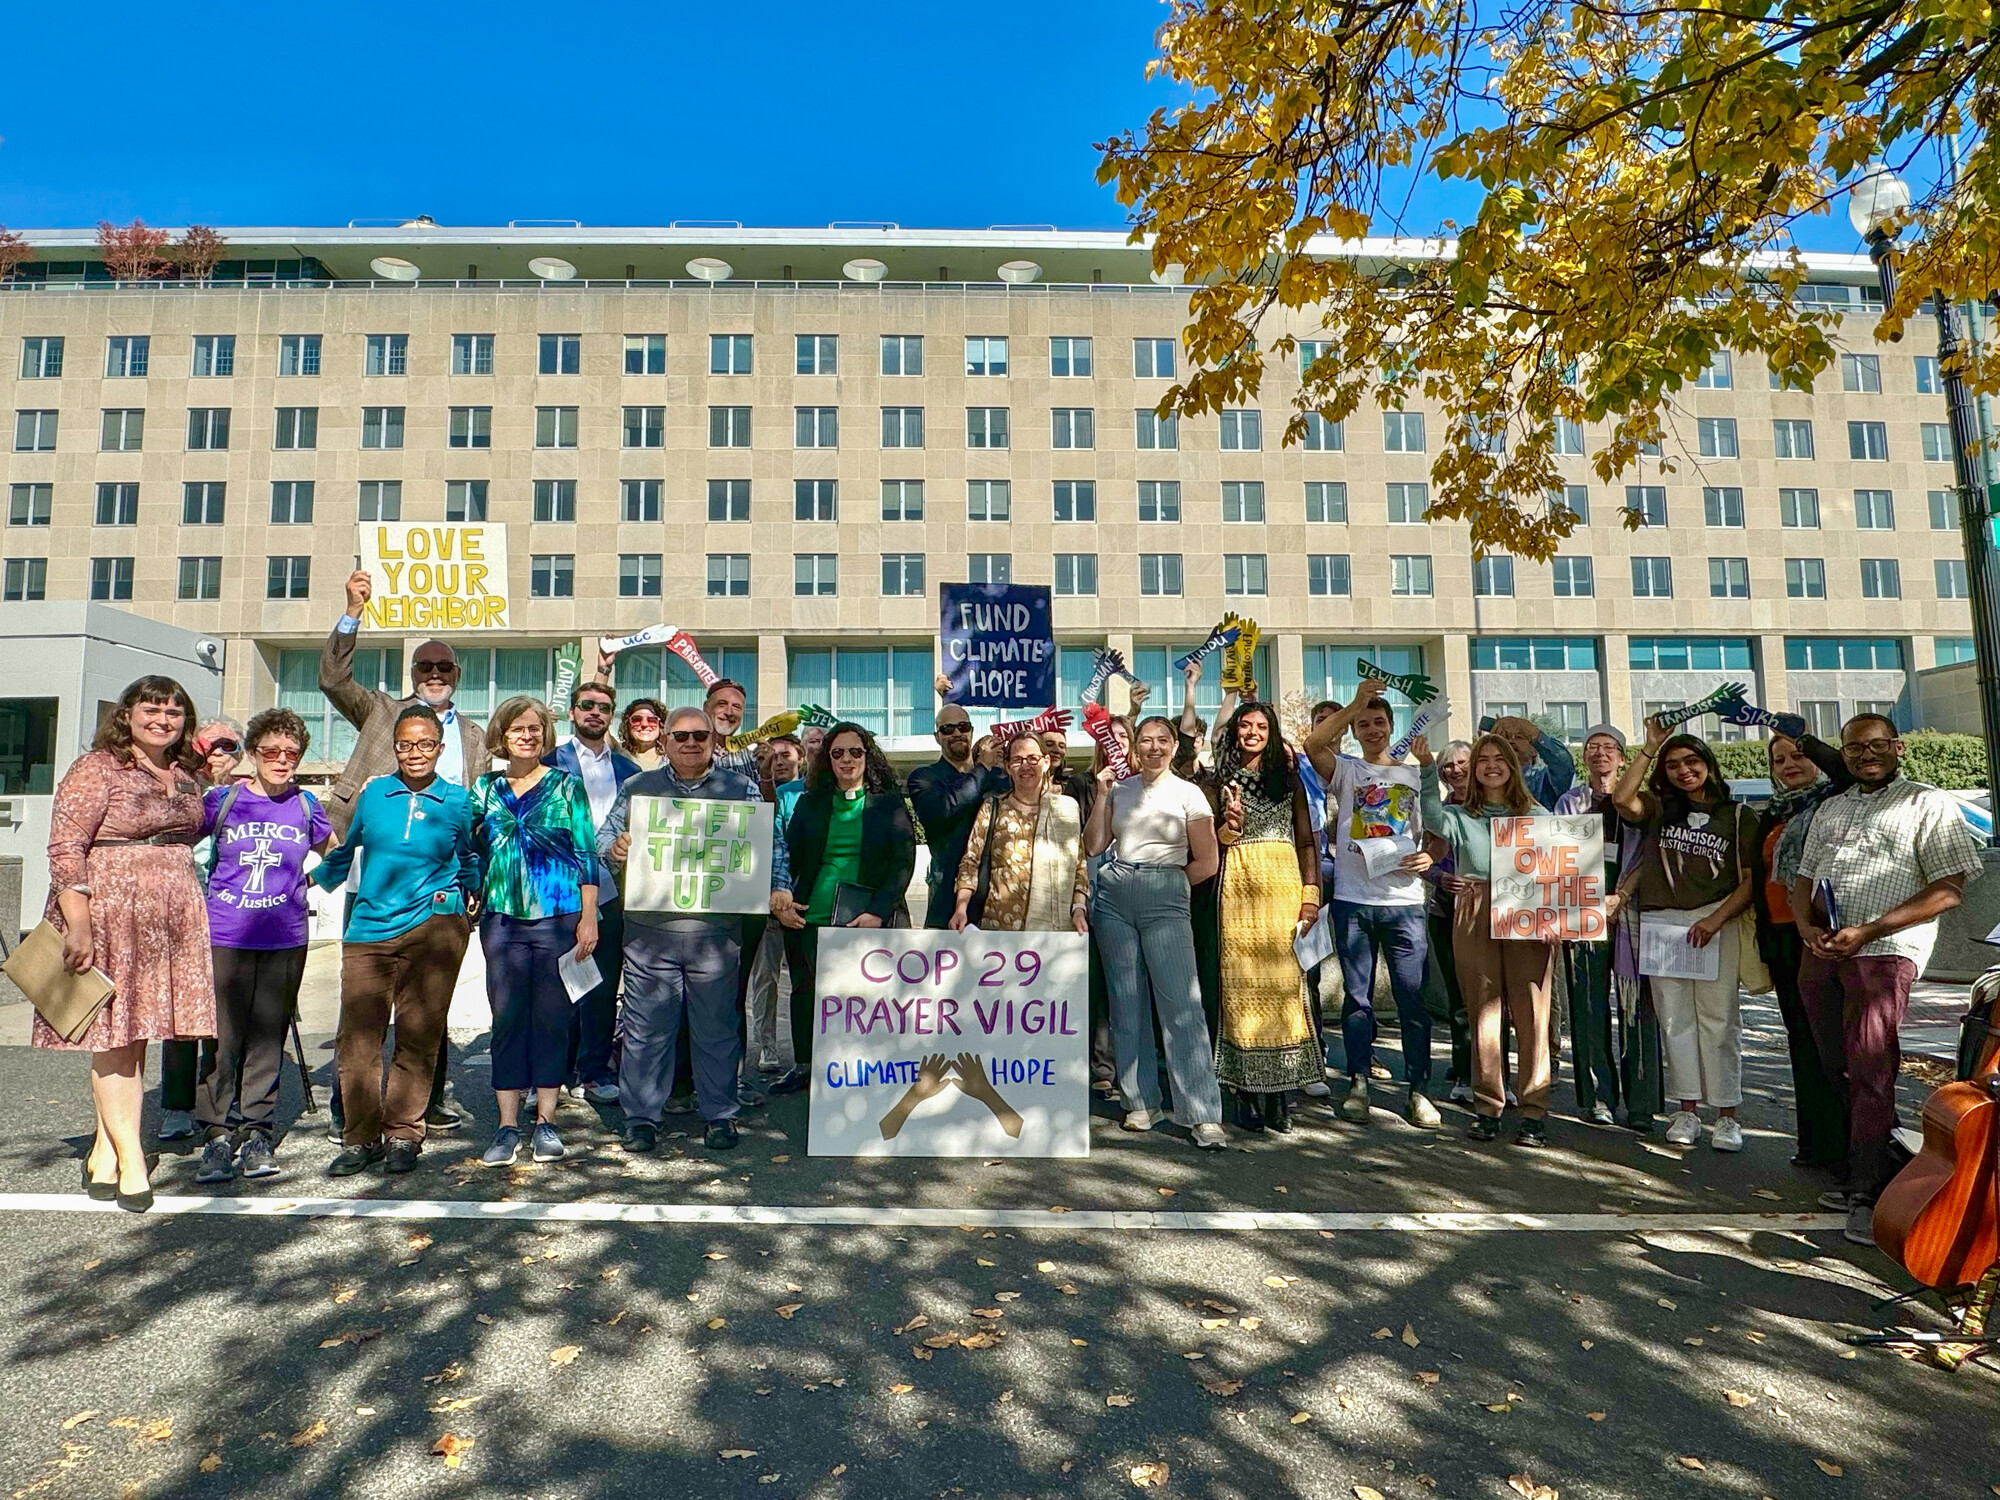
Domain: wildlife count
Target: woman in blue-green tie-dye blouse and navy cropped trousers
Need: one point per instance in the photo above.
(539, 865)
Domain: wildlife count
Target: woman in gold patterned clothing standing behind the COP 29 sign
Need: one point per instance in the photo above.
(1037, 877)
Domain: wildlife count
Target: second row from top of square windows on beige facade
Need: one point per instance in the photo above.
(903, 427)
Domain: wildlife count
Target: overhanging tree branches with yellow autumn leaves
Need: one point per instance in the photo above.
(1637, 177)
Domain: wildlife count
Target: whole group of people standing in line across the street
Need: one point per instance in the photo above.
(1195, 869)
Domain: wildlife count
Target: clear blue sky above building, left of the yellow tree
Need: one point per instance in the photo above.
(929, 115)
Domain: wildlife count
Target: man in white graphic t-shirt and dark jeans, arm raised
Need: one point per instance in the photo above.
(1375, 835)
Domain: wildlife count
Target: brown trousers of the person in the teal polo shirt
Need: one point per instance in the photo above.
(407, 981)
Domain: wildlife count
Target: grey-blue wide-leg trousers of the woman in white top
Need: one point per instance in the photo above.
(1141, 921)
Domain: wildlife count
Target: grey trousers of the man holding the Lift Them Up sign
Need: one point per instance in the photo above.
(681, 971)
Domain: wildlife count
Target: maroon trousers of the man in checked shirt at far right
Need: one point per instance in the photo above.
(1857, 1009)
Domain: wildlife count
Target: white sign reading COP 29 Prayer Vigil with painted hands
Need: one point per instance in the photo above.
(951, 1045)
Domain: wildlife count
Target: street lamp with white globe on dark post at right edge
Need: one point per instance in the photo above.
(1873, 207)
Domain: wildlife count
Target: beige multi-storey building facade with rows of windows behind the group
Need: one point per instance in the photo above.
(787, 441)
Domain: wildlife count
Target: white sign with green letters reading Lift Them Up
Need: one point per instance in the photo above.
(699, 859)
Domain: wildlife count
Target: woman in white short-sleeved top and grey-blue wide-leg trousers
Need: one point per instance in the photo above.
(1161, 835)
